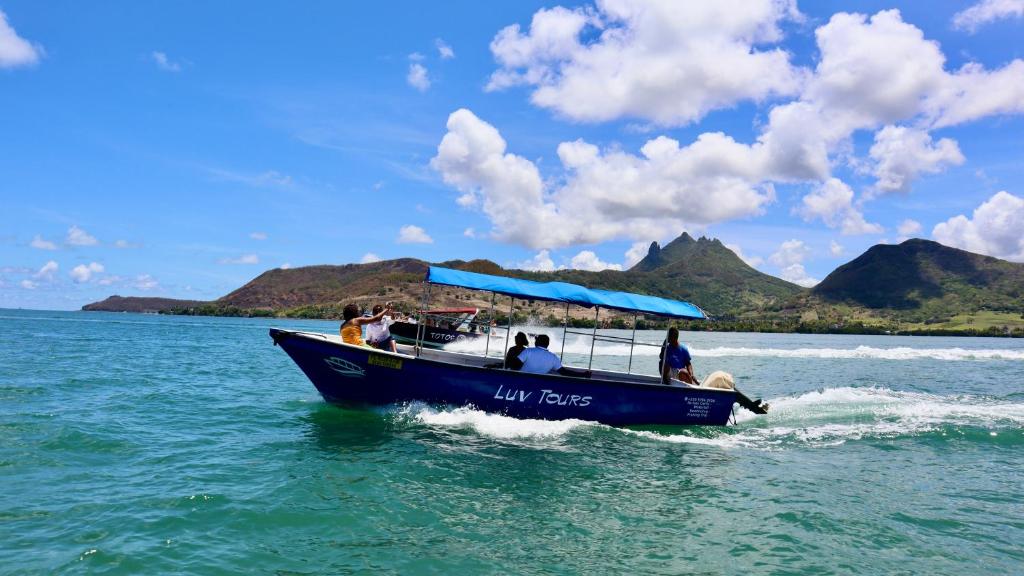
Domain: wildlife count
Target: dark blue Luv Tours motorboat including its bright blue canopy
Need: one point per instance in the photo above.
(354, 376)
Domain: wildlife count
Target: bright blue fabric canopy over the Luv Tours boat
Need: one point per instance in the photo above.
(565, 293)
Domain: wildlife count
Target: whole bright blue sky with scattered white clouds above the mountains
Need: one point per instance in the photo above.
(182, 149)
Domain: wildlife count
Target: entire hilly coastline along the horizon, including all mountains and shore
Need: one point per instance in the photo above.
(917, 287)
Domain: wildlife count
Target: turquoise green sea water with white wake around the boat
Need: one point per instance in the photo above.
(137, 444)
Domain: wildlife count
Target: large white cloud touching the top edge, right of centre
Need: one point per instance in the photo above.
(667, 62)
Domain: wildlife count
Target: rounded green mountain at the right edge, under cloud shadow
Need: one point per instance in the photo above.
(927, 278)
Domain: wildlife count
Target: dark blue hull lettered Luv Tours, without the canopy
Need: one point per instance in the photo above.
(355, 376)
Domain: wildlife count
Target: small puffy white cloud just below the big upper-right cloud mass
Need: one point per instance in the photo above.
(903, 154)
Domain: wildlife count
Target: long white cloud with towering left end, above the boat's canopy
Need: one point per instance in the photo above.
(712, 181)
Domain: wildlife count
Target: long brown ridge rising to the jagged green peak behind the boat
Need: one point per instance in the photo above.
(704, 272)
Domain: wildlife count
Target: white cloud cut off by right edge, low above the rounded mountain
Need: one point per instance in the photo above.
(996, 229)
